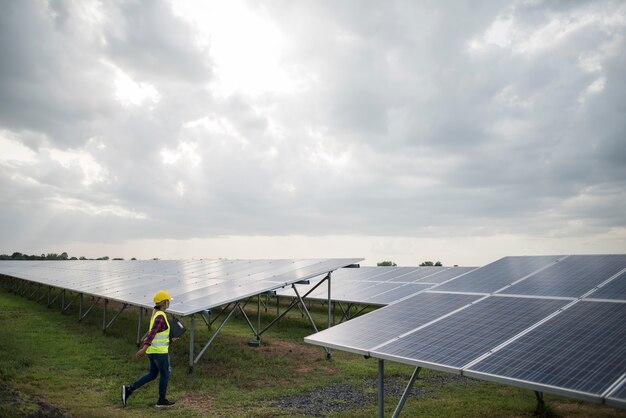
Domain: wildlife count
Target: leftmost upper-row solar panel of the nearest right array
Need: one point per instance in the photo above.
(496, 275)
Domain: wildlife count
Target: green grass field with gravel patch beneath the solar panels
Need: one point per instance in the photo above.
(51, 365)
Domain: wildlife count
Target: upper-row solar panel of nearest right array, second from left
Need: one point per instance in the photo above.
(571, 277)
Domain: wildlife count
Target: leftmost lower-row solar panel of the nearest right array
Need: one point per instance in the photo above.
(368, 331)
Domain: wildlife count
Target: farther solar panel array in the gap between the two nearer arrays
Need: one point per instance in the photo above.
(379, 285)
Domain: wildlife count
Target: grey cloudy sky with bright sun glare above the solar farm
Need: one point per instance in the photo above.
(396, 130)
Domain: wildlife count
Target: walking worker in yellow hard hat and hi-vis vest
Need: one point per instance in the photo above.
(156, 345)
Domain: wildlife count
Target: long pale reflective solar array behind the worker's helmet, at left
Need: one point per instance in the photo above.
(195, 285)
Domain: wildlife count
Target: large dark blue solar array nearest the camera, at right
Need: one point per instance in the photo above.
(552, 323)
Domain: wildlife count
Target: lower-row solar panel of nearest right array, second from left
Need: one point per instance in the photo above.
(460, 338)
